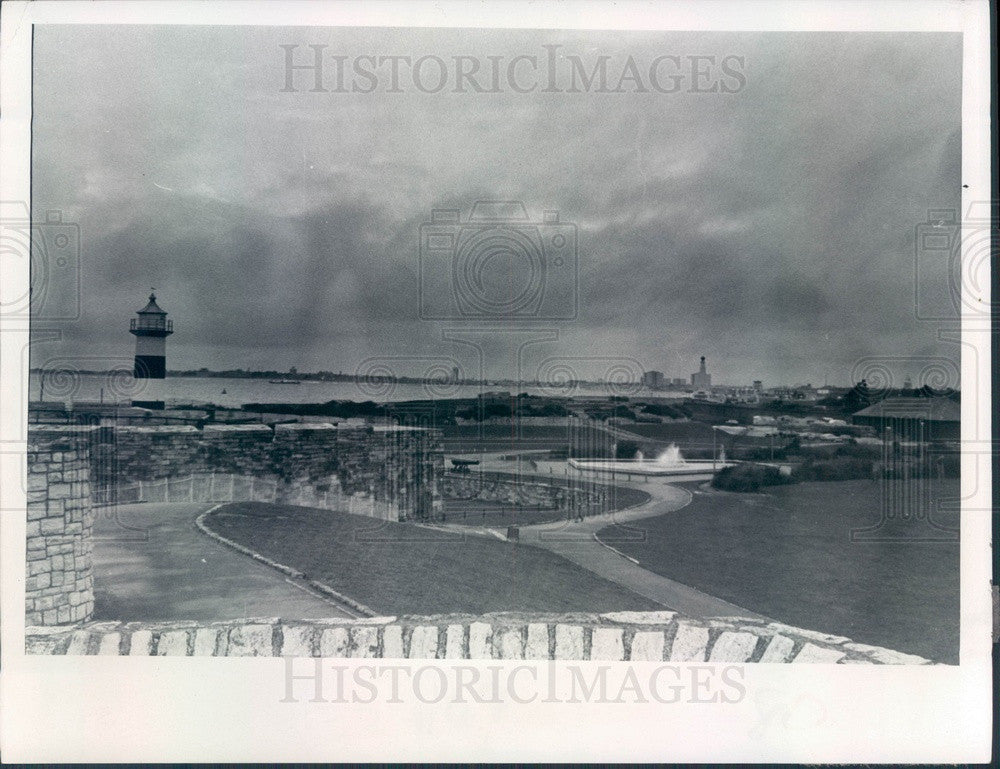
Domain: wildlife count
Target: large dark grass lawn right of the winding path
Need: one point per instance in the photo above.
(788, 554)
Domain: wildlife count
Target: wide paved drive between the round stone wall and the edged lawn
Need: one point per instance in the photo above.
(151, 563)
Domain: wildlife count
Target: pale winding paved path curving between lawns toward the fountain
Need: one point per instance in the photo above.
(577, 542)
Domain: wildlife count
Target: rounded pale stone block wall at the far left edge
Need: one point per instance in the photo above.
(59, 581)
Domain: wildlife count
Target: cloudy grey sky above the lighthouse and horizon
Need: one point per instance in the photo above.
(770, 228)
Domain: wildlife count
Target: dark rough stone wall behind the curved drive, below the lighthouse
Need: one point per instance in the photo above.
(384, 470)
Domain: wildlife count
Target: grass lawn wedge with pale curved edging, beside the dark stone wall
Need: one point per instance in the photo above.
(399, 568)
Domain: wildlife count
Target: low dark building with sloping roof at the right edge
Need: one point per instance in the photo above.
(914, 419)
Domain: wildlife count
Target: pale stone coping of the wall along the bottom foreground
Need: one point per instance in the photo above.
(639, 636)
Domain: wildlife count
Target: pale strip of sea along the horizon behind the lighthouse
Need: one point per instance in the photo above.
(121, 387)
